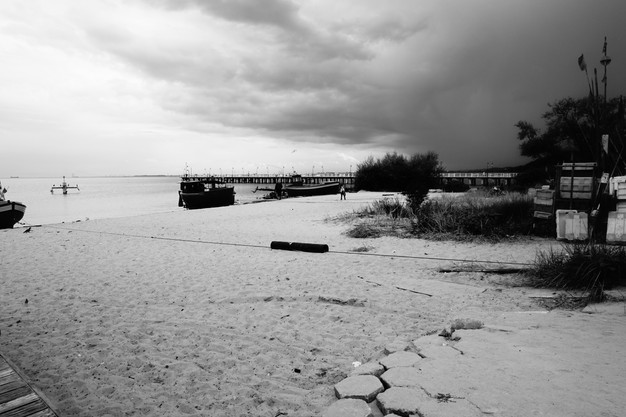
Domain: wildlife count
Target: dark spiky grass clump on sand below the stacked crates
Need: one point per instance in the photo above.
(590, 267)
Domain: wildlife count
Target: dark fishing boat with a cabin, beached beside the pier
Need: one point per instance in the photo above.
(204, 192)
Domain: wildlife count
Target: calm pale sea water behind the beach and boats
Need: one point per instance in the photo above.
(102, 197)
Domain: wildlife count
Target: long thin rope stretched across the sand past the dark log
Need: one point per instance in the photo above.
(245, 245)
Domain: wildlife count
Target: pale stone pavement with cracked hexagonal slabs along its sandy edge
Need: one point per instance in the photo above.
(532, 363)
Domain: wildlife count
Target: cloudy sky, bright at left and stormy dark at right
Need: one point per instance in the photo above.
(132, 87)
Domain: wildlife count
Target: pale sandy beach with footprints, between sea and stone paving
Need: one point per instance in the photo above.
(192, 313)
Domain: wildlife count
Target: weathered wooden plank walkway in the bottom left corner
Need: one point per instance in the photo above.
(18, 398)
